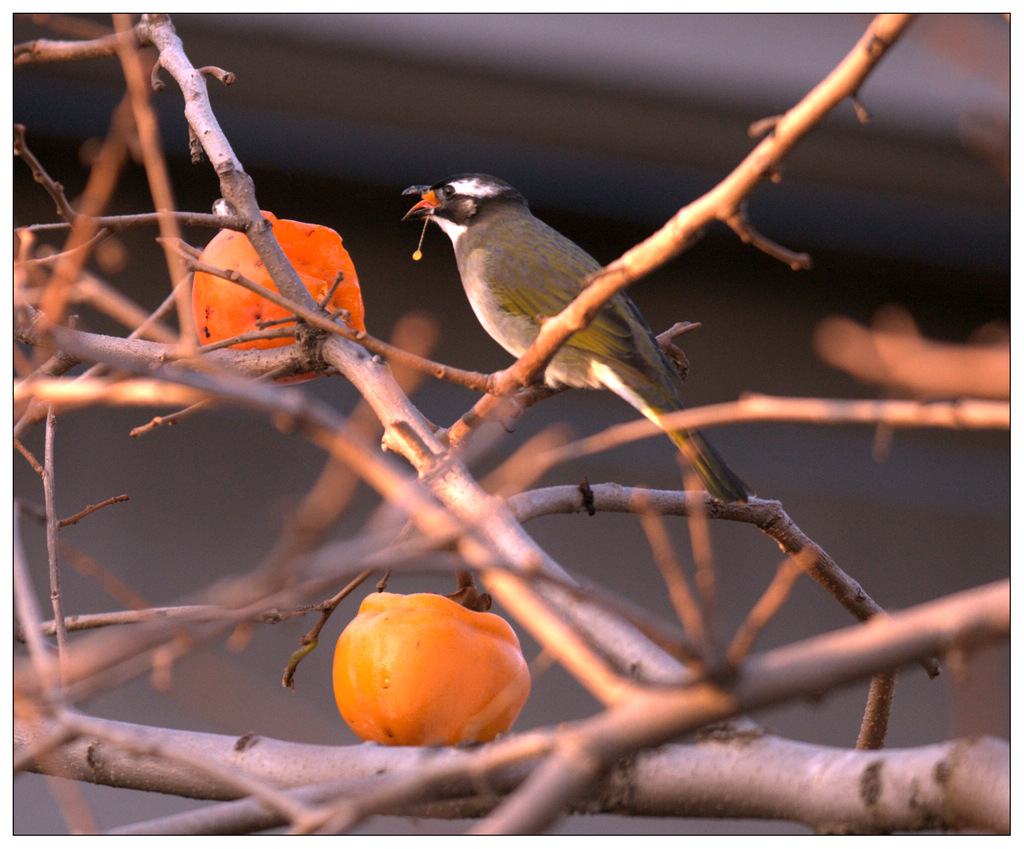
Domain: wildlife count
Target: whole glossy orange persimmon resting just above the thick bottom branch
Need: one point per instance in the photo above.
(421, 670)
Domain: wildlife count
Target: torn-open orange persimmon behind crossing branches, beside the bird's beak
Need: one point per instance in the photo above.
(224, 310)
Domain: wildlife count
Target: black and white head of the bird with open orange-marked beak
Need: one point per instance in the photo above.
(456, 204)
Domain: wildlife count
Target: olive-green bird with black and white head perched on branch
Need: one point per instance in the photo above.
(518, 272)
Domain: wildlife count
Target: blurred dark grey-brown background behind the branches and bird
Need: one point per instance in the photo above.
(609, 124)
